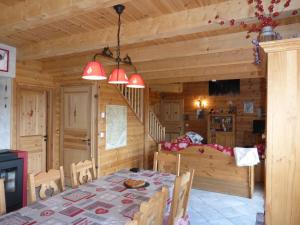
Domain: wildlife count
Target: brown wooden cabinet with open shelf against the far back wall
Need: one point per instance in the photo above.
(221, 129)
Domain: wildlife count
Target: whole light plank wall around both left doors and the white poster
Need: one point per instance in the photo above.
(32, 74)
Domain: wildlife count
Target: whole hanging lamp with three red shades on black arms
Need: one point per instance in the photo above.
(94, 70)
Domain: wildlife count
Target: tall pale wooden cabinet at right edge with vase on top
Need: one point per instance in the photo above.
(283, 132)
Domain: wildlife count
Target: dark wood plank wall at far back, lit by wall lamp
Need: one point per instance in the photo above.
(251, 90)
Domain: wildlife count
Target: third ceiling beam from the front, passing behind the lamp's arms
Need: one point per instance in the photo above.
(204, 51)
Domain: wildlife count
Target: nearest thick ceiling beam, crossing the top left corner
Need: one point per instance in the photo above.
(33, 13)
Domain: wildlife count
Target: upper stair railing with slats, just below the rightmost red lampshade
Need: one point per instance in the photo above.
(134, 98)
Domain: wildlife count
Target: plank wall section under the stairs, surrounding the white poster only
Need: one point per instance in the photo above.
(125, 157)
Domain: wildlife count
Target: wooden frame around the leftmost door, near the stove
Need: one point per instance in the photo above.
(49, 119)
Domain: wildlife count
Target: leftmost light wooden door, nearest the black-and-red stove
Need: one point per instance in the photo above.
(32, 127)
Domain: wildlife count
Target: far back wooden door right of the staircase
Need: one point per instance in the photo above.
(172, 118)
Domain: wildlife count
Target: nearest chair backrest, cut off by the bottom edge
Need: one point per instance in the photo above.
(152, 211)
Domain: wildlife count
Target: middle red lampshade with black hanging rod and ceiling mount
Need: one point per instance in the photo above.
(118, 75)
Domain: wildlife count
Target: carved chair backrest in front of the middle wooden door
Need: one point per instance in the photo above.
(83, 172)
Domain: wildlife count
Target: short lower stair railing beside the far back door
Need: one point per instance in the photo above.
(156, 130)
